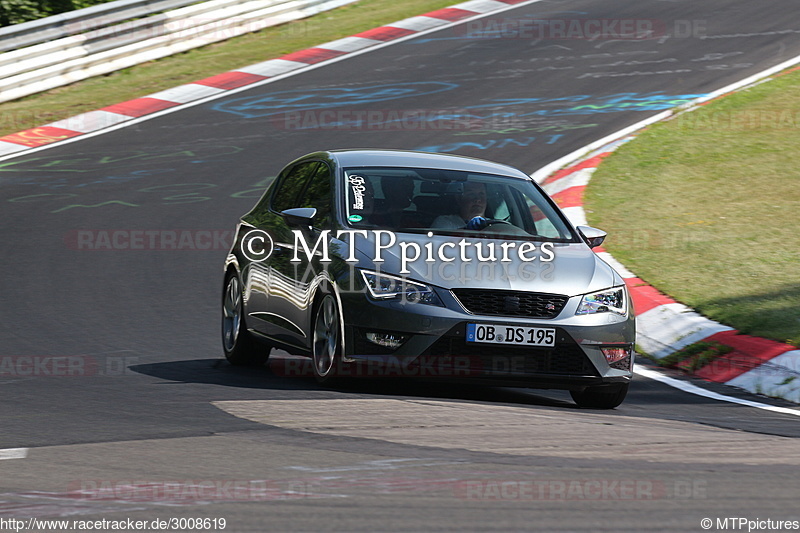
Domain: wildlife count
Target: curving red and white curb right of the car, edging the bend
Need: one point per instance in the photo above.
(759, 365)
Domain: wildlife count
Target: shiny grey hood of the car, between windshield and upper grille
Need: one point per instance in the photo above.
(574, 268)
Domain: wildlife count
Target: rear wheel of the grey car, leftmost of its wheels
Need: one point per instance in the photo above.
(239, 346)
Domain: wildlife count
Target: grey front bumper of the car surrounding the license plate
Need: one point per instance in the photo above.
(434, 345)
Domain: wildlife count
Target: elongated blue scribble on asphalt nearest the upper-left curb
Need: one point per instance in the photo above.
(305, 99)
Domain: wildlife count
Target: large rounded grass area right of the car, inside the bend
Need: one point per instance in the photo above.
(704, 207)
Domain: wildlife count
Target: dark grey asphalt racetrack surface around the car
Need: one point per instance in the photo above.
(112, 372)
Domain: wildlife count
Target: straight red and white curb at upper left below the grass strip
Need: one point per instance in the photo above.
(116, 114)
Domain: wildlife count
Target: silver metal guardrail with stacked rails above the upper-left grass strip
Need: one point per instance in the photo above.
(101, 39)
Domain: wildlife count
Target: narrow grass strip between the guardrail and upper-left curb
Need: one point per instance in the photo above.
(154, 76)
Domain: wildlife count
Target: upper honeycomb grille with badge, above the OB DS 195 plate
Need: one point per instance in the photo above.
(511, 303)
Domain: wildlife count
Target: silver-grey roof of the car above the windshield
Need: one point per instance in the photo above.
(408, 158)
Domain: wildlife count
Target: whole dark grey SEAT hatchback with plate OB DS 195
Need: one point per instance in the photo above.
(395, 263)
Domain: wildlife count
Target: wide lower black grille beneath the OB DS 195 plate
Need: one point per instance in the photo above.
(565, 358)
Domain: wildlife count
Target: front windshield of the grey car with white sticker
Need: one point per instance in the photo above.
(419, 200)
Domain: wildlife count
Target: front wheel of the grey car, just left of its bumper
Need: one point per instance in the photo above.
(326, 342)
